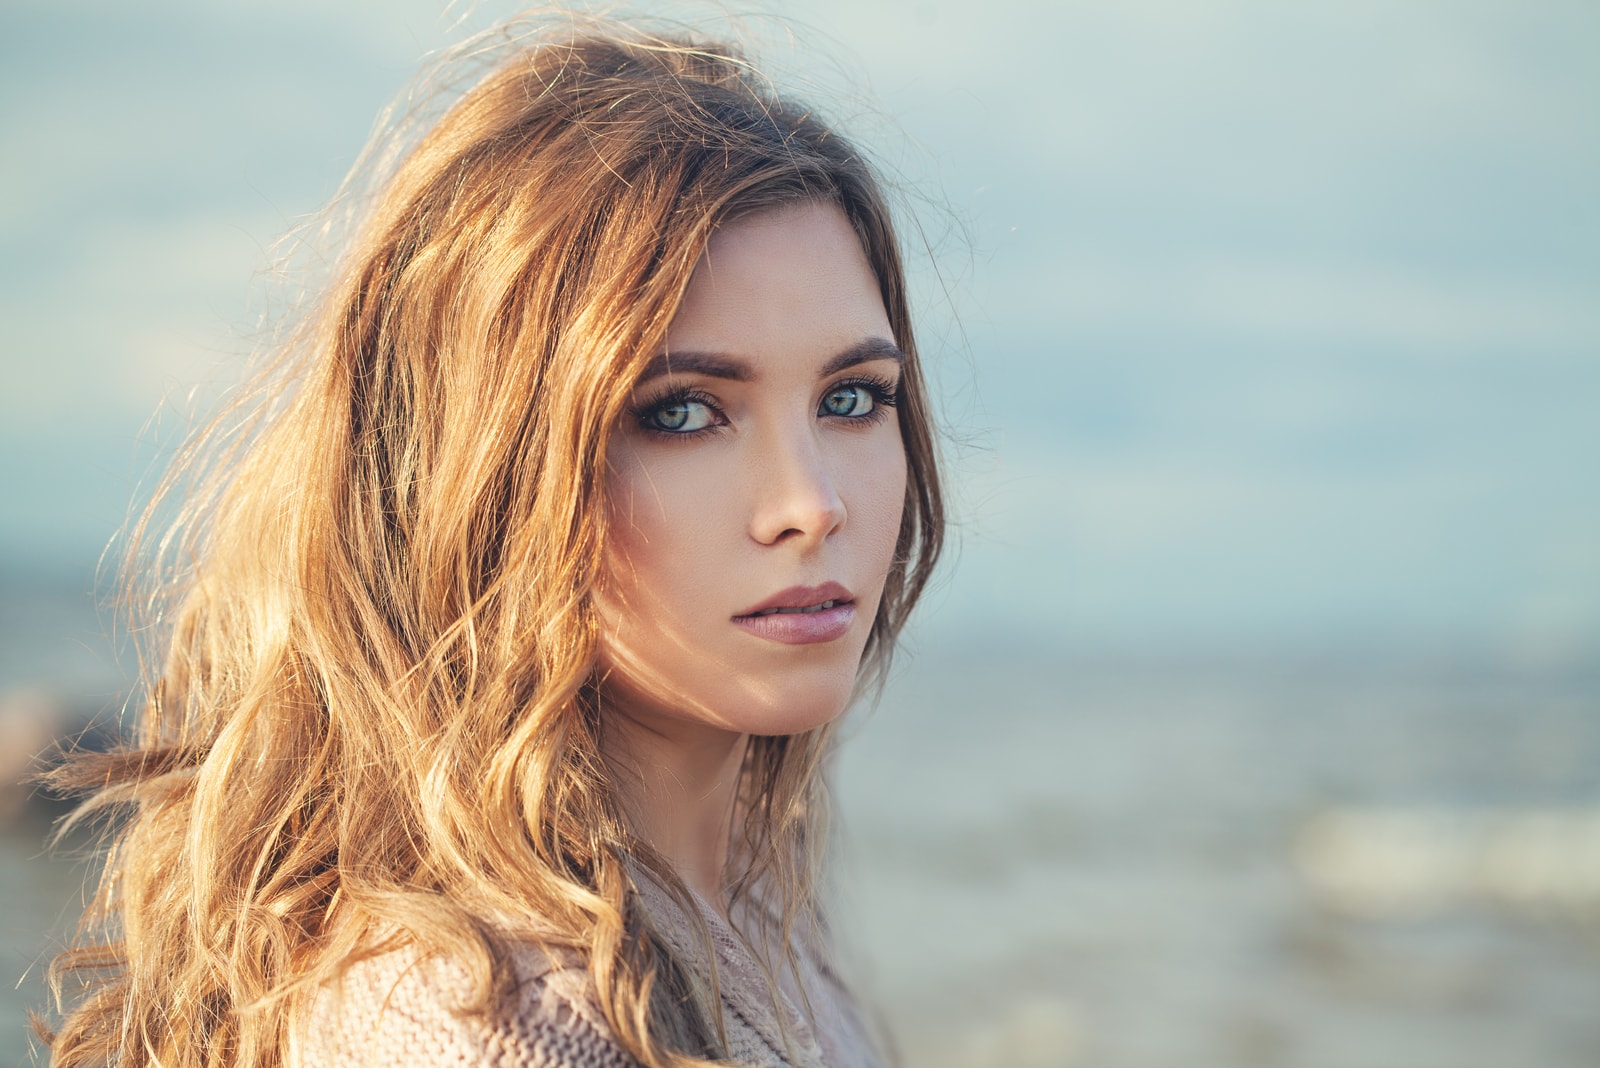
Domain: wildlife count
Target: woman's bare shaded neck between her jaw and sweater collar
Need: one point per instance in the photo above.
(678, 783)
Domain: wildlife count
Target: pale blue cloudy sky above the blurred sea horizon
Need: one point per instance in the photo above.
(1255, 325)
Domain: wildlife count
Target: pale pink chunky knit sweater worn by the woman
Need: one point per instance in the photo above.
(401, 1011)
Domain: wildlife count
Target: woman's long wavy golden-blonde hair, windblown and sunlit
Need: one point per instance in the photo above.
(374, 722)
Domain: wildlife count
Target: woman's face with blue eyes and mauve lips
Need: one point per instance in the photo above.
(758, 485)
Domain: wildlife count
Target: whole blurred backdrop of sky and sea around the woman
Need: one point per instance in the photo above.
(1257, 720)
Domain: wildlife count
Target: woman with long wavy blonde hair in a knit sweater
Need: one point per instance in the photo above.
(503, 652)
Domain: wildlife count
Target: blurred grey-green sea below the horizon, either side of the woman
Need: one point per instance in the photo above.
(1132, 863)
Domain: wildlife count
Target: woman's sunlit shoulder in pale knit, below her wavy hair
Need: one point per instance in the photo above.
(406, 1010)
